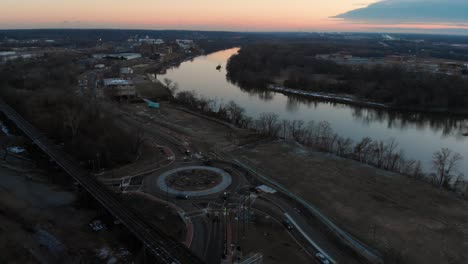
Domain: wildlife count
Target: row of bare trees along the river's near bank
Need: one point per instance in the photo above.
(382, 154)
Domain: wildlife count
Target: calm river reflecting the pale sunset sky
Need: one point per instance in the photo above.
(419, 135)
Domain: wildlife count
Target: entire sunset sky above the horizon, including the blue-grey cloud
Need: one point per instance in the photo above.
(240, 15)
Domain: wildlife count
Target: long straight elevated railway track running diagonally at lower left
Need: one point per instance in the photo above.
(165, 249)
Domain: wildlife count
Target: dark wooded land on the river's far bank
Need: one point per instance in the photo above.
(258, 66)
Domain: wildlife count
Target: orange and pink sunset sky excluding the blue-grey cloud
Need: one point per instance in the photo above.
(240, 15)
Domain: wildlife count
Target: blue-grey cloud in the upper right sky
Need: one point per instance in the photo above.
(411, 11)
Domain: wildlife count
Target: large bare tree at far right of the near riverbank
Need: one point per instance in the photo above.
(445, 163)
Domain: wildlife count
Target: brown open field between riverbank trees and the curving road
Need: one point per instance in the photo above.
(410, 221)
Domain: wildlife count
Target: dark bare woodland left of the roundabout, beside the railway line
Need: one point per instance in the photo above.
(45, 92)
